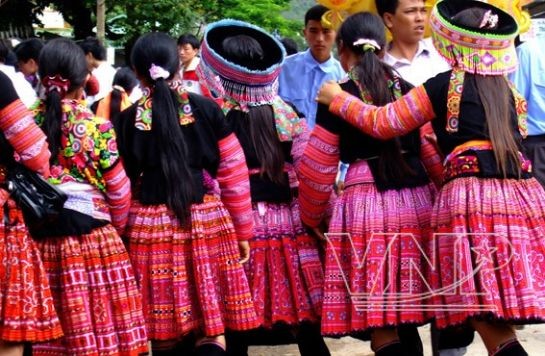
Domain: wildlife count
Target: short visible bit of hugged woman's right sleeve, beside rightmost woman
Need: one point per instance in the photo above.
(430, 154)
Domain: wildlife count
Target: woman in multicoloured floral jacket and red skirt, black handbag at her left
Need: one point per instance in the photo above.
(92, 281)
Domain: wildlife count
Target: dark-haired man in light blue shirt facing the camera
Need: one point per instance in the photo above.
(303, 73)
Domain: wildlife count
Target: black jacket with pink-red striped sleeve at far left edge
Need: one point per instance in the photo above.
(22, 133)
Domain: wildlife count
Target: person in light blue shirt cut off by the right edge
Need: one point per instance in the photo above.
(529, 79)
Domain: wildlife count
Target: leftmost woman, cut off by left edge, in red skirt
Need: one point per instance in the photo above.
(27, 312)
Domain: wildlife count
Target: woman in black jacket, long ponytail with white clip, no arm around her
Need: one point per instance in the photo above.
(187, 241)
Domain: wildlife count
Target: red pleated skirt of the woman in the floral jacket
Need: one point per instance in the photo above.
(95, 295)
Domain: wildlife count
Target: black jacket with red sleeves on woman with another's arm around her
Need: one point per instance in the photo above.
(333, 139)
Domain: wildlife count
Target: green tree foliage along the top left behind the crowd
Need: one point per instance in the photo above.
(127, 19)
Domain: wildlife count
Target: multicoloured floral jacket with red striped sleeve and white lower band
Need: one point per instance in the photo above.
(88, 168)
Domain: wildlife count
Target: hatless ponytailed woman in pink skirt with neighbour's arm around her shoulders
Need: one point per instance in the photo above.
(381, 221)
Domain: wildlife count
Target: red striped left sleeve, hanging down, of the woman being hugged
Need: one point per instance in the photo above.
(317, 171)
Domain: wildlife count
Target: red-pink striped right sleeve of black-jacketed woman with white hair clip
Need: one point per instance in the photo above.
(234, 183)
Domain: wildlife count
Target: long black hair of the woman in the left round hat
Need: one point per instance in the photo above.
(246, 51)
